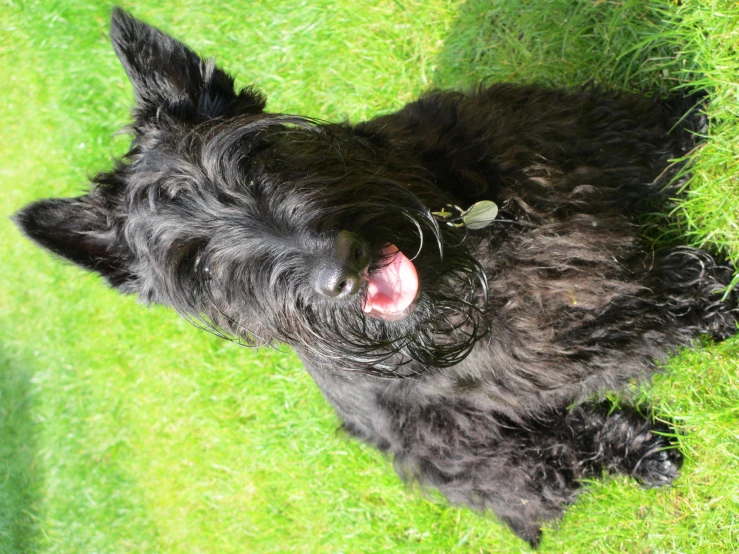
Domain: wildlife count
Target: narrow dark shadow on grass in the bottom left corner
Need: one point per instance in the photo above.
(19, 477)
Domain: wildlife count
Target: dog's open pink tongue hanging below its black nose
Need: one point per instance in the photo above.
(393, 287)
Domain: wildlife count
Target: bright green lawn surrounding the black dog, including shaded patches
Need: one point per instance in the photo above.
(123, 429)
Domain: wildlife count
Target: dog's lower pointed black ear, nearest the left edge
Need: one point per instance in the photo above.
(81, 230)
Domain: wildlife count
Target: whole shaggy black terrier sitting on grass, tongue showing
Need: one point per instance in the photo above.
(459, 277)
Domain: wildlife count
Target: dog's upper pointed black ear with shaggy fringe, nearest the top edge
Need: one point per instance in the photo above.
(169, 78)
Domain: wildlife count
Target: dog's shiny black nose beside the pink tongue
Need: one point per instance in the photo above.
(341, 272)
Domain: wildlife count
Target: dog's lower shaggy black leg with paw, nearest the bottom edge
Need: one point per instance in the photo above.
(526, 472)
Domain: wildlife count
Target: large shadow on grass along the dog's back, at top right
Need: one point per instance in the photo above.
(562, 43)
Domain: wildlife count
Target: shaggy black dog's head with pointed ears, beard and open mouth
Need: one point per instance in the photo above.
(269, 227)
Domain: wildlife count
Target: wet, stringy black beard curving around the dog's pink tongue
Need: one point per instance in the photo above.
(440, 331)
